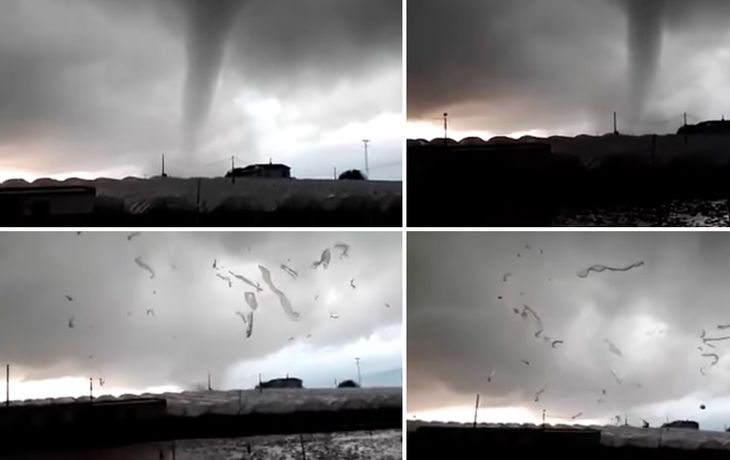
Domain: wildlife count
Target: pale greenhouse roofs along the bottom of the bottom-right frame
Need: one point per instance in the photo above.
(621, 436)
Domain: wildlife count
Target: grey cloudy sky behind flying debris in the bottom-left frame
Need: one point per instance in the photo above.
(194, 328)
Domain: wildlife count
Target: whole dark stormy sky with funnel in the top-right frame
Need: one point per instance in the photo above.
(563, 66)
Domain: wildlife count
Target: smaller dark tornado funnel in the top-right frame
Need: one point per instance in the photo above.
(645, 32)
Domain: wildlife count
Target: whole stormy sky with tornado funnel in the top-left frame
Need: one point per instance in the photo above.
(103, 87)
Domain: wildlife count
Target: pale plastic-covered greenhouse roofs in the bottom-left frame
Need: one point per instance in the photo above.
(233, 402)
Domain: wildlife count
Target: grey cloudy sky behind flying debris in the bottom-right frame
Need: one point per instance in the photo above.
(460, 331)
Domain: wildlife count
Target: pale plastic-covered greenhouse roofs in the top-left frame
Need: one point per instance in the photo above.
(138, 196)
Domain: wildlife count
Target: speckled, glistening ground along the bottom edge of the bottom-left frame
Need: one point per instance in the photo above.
(361, 445)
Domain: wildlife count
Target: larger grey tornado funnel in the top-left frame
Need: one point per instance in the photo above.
(208, 30)
